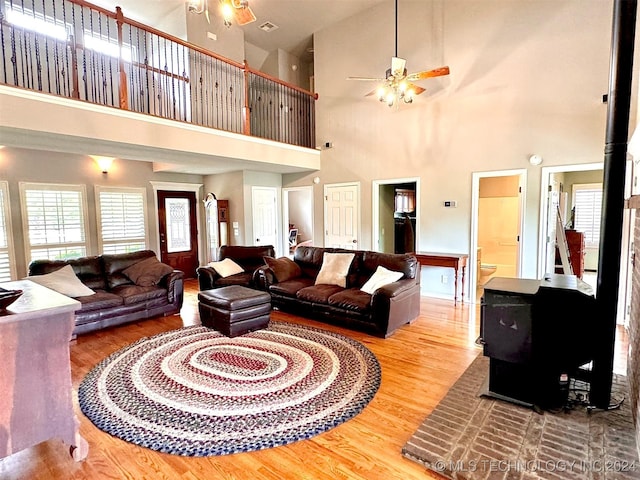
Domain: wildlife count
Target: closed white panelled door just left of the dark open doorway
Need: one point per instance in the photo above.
(342, 215)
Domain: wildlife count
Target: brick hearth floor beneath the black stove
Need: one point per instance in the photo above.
(472, 437)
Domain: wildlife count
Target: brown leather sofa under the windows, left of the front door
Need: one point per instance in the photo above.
(117, 299)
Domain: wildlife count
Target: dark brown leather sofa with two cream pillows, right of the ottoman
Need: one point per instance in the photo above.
(380, 314)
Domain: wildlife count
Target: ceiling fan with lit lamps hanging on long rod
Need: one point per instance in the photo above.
(397, 84)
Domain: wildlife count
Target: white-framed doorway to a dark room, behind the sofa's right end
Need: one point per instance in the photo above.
(396, 216)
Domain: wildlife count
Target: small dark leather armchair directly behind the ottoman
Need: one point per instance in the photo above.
(250, 258)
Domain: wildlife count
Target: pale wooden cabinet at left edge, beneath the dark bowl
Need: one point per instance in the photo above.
(35, 377)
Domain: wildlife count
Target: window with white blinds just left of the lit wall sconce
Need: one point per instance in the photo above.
(54, 221)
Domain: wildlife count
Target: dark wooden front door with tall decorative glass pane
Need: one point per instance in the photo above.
(178, 230)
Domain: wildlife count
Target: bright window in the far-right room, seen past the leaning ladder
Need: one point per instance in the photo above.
(587, 204)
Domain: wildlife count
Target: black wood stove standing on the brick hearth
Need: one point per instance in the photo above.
(539, 335)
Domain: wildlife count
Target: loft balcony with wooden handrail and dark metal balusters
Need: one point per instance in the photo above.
(76, 77)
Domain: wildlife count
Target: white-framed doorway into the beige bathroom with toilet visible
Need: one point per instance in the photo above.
(498, 200)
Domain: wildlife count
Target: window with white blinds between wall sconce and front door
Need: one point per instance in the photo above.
(121, 219)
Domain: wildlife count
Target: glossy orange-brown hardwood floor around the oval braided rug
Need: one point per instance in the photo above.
(419, 364)
